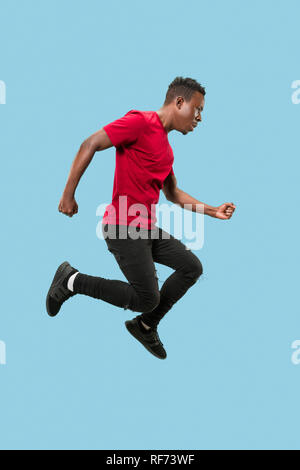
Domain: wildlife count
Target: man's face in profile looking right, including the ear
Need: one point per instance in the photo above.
(188, 114)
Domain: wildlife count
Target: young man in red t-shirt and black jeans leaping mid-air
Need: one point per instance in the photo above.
(144, 166)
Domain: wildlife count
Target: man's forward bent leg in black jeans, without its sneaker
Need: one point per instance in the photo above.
(188, 268)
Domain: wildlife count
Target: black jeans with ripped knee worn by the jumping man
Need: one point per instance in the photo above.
(136, 258)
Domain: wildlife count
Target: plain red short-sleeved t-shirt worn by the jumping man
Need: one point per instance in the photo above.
(144, 159)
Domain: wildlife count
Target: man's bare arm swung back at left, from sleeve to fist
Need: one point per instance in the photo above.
(95, 143)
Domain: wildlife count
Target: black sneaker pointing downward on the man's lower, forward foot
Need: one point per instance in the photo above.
(150, 339)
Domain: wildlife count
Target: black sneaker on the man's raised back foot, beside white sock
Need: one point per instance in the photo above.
(58, 292)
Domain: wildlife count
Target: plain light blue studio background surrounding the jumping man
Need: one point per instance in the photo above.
(80, 381)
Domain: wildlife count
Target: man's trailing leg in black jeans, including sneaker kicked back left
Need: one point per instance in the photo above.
(140, 293)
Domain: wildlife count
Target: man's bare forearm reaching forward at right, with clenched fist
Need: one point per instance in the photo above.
(177, 196)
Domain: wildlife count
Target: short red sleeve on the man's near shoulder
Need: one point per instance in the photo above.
(126, 130)
